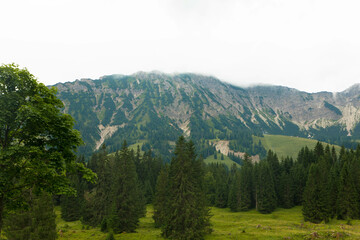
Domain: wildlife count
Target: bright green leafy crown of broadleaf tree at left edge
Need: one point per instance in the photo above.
(37, 140)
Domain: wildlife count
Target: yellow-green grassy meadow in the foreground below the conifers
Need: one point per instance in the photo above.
(281, 224)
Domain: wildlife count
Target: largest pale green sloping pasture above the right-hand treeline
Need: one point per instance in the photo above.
(287, 145)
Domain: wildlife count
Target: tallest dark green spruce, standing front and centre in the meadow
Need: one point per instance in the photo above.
(187, 216)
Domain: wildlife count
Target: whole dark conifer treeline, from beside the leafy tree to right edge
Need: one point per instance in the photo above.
(325, 183)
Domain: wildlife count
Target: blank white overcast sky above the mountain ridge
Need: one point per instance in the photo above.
(311, 45)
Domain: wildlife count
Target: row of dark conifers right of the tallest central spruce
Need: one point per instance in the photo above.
(326, 185)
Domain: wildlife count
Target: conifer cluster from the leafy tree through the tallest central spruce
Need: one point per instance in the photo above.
(128, 180)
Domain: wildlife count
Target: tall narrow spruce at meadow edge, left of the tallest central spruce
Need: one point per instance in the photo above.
(128, 203)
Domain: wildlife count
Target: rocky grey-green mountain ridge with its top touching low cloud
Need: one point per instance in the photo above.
(156, 108)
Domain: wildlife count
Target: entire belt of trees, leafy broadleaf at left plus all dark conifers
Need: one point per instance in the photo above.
(111, 189)
